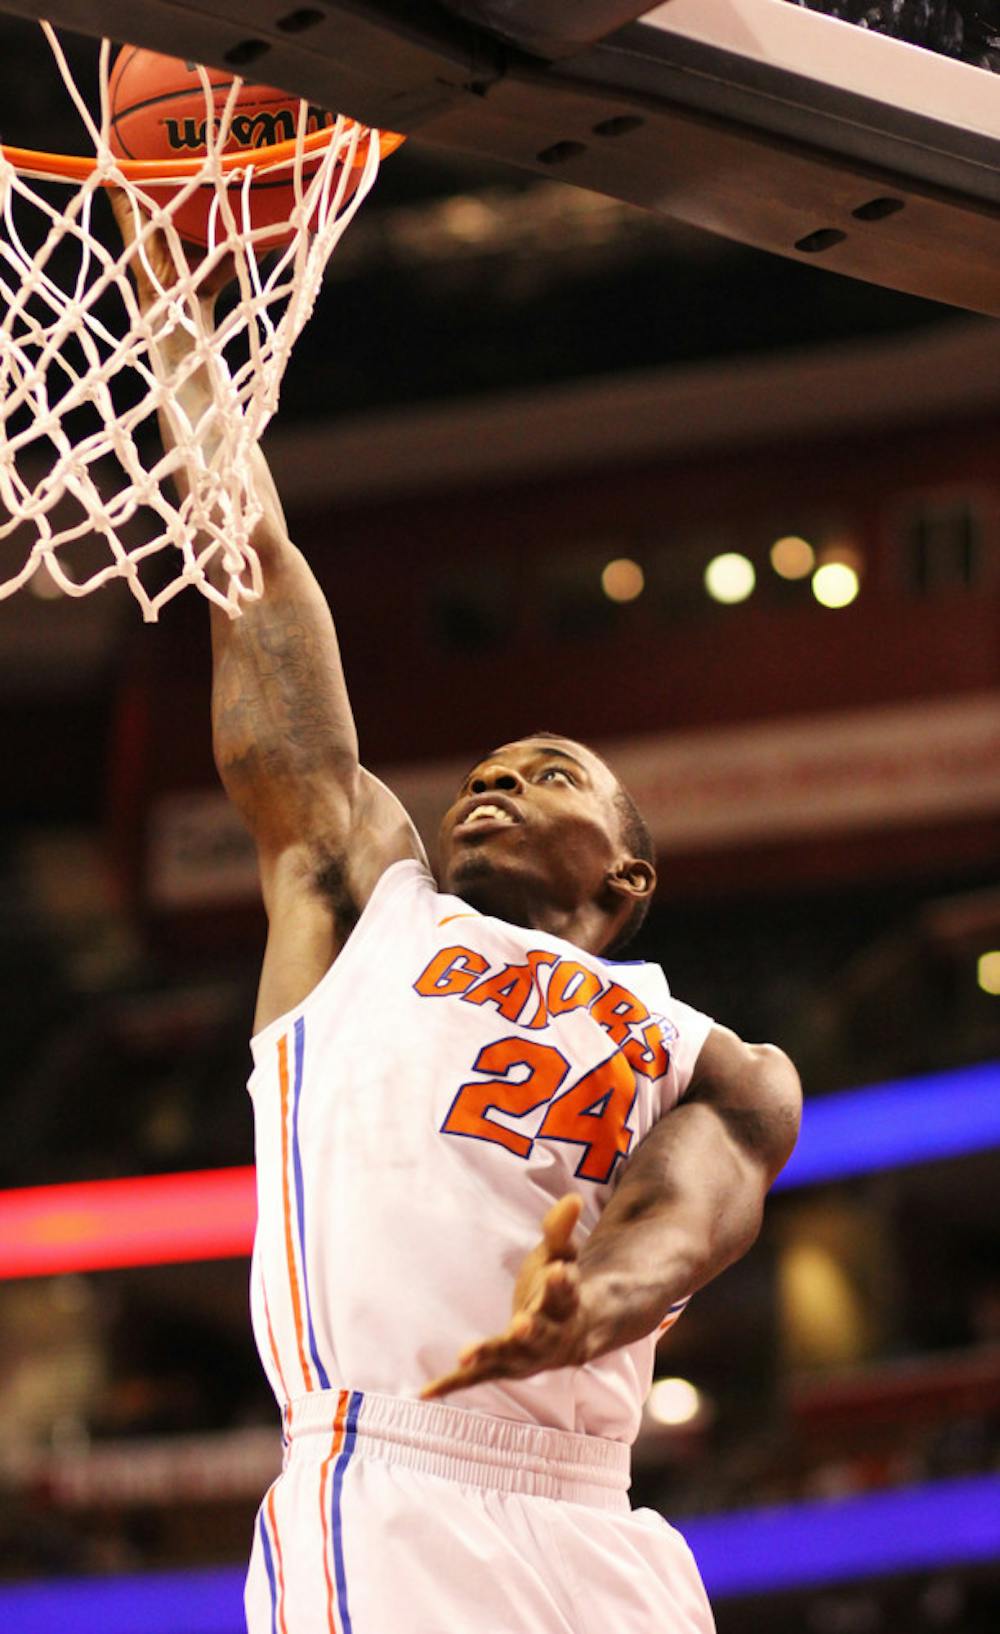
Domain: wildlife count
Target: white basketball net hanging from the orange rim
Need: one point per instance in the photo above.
(84, 478)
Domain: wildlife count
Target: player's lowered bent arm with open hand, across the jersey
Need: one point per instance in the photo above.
(689, 1203)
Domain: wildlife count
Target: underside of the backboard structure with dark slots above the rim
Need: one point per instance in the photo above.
(757, 120)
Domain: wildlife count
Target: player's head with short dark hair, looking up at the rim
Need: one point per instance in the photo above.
(533, 833)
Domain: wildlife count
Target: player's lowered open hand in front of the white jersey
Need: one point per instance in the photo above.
(548, 1324)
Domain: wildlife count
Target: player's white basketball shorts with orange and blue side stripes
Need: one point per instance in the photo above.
(404, 1517)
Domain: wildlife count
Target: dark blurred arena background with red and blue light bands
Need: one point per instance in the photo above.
(522, 426)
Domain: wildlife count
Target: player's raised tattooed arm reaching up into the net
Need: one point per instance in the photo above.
(283, 731)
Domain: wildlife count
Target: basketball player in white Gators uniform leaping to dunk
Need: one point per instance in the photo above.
(494, 1164)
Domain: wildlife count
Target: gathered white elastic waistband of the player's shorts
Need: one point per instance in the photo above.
(458, 1445)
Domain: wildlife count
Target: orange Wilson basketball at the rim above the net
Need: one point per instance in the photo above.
(159, 112)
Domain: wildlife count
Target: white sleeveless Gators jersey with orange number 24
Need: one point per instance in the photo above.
(449, 1079)
